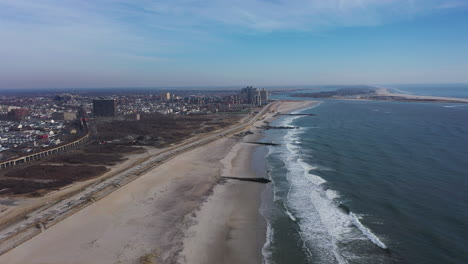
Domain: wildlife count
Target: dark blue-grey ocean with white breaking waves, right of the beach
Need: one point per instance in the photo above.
(369, 182)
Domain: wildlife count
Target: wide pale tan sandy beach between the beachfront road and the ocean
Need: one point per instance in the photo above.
(179, 212)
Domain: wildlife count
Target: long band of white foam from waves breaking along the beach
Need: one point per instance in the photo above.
(323, 225)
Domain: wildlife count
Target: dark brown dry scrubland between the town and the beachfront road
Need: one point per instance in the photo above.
(91, 160)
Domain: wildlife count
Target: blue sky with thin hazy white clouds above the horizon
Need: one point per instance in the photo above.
(150, 43)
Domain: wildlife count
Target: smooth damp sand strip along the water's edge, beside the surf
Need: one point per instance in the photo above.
(232, 216)
